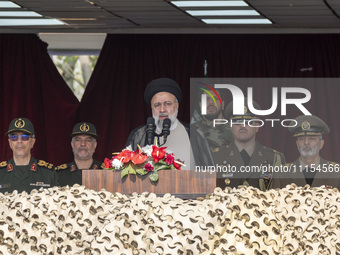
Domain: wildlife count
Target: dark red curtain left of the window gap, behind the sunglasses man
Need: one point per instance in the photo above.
(31, 87)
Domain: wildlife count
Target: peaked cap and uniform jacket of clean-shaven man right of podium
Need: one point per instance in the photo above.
(253, 170)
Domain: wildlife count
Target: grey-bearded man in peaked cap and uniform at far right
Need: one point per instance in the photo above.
(310, 168)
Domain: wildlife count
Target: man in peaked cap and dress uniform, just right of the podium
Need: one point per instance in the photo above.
(245, 161)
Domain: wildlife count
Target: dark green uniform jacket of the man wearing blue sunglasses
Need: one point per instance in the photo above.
(35, 175)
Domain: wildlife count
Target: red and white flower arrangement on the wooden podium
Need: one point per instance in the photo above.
(148, 159)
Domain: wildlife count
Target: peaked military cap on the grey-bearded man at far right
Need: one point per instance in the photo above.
(308, 125)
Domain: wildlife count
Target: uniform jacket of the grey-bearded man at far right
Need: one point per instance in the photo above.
(330, 178)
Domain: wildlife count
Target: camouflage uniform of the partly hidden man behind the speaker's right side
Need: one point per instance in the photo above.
(217, 136)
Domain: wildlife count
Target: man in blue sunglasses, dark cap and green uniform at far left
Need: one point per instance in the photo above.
(23, 172)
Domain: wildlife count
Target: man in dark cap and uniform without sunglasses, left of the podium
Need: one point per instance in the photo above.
(83, 143)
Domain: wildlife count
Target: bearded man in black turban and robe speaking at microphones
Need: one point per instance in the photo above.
(164, 96)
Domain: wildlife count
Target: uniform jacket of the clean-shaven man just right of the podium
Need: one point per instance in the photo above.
(230, 157)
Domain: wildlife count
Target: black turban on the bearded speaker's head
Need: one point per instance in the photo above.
(162, 85)
